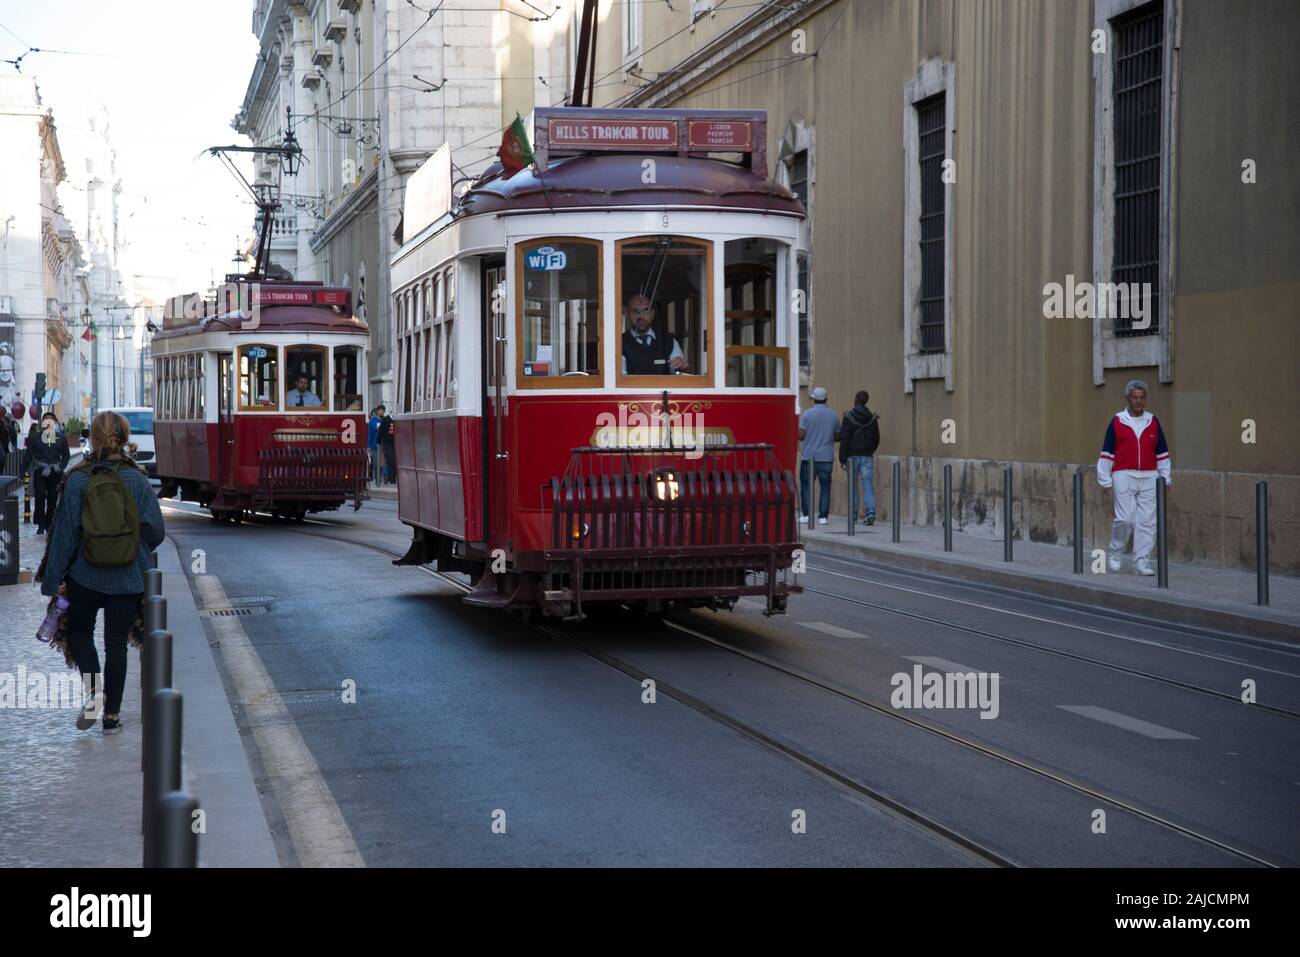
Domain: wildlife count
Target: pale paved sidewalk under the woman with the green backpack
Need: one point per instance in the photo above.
(72, 799)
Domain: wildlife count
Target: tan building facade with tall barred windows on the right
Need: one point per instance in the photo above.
(972, 171)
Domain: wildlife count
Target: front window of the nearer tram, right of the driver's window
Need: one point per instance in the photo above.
(757, 353)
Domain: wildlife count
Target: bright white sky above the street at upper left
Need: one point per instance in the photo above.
(171, 76)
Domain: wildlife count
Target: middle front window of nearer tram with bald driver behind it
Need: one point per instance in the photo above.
(664, 284)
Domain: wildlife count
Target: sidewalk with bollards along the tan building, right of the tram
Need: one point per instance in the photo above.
(1201, 596)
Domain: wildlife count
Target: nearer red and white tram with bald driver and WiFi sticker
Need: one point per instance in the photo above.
(597, 367)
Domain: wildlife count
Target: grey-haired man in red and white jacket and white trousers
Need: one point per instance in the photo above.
(1133, 456)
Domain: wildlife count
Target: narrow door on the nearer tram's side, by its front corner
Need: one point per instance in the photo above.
(496, 452)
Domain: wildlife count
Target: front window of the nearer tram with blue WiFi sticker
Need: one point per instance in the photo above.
(560, 283)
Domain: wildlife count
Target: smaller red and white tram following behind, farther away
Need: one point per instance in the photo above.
(259, 404)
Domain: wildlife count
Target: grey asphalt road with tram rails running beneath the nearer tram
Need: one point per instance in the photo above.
(478, 739)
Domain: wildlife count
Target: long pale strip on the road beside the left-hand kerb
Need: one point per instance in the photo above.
(317, 826)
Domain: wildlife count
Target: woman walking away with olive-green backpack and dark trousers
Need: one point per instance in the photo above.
(107, 525)
